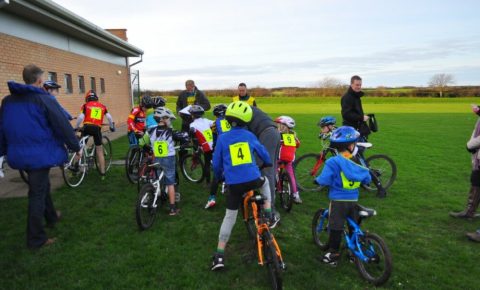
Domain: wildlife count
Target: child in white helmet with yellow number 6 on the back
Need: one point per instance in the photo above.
(162, 139)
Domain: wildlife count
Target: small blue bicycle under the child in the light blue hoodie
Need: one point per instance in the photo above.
(368, 250)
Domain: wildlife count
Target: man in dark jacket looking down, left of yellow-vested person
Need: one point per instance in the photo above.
(191, 96)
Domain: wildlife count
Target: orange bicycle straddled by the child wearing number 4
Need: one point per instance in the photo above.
(266, 246)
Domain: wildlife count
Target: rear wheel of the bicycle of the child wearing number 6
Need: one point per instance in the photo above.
(145, 209)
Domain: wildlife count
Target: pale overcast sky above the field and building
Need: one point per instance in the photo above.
(273, 43)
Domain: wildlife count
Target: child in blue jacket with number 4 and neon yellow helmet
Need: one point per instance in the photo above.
(234, 158)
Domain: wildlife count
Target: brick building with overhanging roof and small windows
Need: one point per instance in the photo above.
(71, 50)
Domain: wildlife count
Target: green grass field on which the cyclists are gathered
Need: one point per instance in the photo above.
(100, 247)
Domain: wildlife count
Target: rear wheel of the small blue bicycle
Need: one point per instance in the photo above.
(378, 268)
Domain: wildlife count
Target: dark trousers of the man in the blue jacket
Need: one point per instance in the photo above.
(40, 206)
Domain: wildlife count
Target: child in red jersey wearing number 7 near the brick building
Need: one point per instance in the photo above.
(92, 114)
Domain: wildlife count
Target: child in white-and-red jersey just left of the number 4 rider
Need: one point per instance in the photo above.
(201, 129)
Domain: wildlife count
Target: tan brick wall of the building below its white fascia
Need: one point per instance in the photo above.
(15, 53)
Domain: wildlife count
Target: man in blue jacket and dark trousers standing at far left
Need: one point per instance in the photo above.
(33, 134)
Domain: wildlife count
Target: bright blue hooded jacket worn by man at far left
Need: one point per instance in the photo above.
(34, 129)
